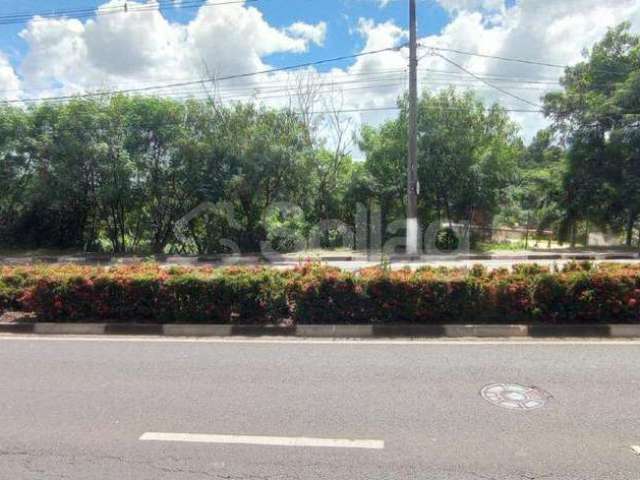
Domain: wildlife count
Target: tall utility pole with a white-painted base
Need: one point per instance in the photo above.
(412, 167)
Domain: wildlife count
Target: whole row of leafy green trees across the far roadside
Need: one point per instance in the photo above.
(118, 173)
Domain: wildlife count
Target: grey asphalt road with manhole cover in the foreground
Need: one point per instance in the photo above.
(76, 409)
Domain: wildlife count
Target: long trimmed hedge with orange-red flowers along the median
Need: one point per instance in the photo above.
(313, 294)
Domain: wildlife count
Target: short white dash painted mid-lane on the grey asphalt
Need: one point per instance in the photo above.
(263, 440)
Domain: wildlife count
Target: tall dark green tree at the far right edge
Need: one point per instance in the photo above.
(598, 115)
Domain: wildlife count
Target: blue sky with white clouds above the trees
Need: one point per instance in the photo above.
(156, 44)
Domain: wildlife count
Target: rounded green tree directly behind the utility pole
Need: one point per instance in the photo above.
(467, 157)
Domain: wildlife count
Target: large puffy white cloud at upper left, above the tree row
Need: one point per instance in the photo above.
(130, 49)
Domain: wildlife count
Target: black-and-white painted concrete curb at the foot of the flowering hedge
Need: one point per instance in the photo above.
(328, 331)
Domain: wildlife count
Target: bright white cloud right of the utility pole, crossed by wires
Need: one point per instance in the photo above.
(557, 33)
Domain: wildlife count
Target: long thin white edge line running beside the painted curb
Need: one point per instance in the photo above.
(313, 341)
